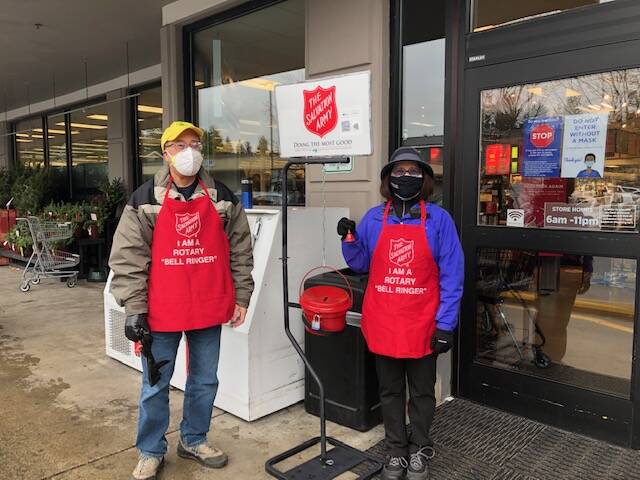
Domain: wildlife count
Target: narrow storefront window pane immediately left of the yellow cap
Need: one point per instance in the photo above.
(149, 118)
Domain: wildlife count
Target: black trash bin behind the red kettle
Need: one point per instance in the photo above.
(344, 364)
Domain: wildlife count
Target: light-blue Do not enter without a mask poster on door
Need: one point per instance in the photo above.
(584, 142)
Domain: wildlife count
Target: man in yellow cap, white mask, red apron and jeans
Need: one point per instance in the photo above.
(182, 262)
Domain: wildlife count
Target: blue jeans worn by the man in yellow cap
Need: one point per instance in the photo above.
(199, 394)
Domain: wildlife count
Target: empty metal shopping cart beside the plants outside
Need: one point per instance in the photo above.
(46, 261)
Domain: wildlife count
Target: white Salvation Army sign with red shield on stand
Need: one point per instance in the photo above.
(330, 117)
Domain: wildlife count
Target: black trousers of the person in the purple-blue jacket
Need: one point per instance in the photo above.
(393, 374)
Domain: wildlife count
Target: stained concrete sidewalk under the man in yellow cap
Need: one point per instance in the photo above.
(69, 412)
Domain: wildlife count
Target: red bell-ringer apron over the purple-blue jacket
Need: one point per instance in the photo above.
(403, 293)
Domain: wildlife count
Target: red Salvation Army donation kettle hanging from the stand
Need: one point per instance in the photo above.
(325, 307)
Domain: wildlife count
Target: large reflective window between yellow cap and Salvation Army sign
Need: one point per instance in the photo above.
(236, 67)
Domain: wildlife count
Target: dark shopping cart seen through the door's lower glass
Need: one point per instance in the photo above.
(507, 273)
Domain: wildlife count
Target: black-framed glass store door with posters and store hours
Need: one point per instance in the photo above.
(550, 222)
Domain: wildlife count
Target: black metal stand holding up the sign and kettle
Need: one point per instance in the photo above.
(341, 458)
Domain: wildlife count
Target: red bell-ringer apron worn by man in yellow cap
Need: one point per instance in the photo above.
(190, 284)
